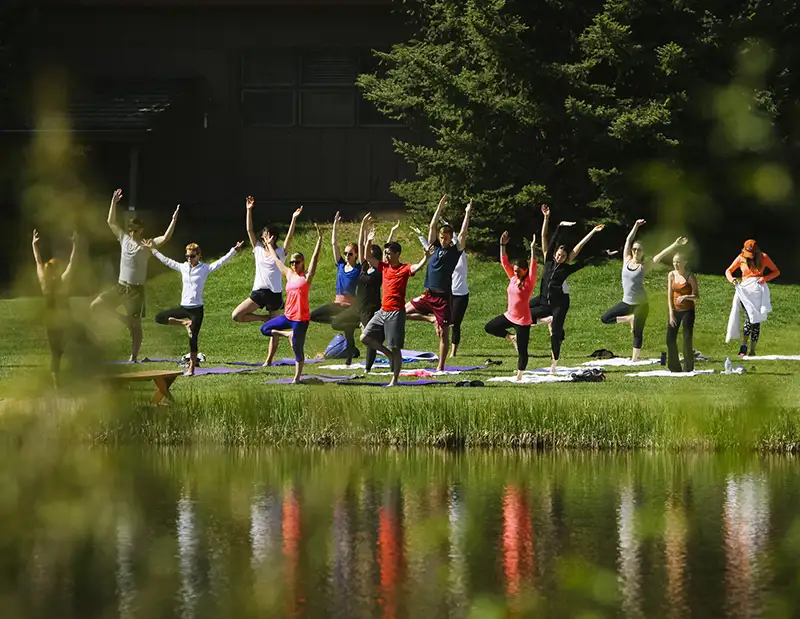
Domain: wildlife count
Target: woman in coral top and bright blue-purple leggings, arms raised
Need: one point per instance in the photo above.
(293, 324)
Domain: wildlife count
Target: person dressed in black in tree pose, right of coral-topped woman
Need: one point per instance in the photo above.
(552, 304)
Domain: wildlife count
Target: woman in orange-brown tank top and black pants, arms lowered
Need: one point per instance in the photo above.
(682, 294)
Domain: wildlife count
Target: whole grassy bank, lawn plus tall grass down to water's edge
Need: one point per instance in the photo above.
(758, 410)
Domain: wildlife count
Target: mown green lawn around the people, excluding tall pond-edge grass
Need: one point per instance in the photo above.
(23, 350)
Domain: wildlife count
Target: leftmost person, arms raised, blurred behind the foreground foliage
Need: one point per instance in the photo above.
(54, 282)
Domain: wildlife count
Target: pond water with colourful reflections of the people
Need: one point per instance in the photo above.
(384, 533)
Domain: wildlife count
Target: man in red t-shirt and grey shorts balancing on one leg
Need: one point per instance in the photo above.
(390, 321)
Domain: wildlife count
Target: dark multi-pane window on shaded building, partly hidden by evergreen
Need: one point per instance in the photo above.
(282, 87)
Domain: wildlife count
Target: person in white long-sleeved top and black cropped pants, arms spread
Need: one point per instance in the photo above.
(194, 273)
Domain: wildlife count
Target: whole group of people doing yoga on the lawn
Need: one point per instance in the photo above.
(371, 287)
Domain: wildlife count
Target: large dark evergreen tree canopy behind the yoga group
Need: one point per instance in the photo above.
(606, 110)
